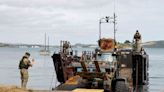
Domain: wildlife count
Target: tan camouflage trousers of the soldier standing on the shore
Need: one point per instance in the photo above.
(24, 77)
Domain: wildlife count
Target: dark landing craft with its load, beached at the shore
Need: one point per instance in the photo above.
(107, 69)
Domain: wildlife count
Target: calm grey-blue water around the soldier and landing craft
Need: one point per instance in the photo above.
(42, 74)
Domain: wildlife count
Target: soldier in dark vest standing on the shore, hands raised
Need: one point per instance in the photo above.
(23, 66)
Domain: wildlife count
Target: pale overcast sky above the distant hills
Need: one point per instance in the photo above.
(27, 21)
